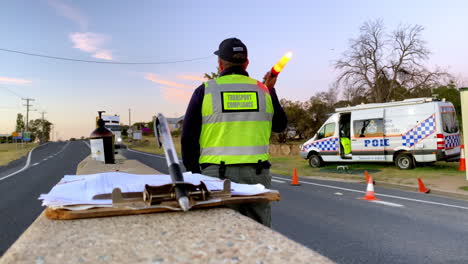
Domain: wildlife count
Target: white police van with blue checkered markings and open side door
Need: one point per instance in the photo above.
(420, 130)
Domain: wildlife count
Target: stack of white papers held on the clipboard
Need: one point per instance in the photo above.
(80, 189)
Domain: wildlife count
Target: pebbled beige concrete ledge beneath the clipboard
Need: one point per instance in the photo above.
(205, 236)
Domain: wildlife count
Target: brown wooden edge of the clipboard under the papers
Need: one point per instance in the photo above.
(63, 214)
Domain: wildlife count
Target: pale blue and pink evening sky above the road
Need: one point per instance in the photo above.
(71, 93)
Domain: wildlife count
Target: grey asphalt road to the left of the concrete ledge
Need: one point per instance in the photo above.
(19, 205)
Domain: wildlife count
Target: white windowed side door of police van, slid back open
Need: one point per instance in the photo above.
(367, 132)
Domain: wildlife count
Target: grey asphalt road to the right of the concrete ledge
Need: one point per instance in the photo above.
(329, 217)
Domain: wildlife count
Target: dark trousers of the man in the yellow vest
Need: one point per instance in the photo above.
(260, 212)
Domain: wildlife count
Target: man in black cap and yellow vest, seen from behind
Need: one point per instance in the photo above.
(228, 123)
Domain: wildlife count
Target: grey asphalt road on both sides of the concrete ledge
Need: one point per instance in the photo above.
(327, 216)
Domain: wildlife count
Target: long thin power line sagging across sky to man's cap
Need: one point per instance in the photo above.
(101, 62)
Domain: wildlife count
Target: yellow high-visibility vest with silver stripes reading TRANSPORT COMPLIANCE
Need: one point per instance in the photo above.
(236, 121)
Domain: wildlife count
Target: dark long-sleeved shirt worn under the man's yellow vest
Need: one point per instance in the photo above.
(192, 125)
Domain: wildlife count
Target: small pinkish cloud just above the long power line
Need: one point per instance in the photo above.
(91, 43)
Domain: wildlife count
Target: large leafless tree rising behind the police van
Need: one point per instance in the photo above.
(386, 66)
